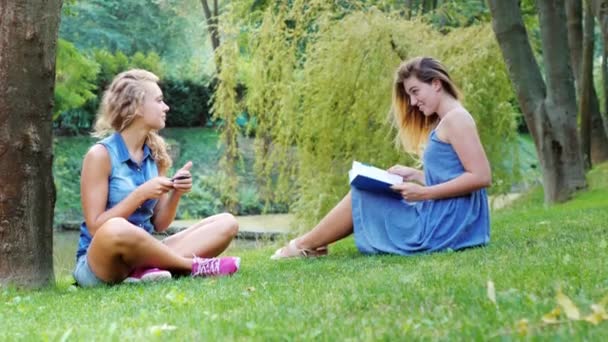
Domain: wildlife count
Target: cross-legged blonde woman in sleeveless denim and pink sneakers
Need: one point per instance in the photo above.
(126, 195)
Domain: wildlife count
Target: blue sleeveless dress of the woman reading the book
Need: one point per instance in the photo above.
(386, 225)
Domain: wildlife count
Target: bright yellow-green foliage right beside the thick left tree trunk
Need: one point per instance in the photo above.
(75, 78)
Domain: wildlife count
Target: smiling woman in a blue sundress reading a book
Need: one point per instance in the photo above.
(443, 207)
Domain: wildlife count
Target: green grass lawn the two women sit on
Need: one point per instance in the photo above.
(535, 252)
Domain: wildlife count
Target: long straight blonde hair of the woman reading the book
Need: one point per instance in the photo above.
(412, 125)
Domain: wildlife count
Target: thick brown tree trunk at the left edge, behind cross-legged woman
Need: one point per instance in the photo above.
(28, 32)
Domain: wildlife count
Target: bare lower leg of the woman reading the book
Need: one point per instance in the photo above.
(336, 225)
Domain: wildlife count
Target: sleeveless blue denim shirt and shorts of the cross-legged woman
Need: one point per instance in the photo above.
(125, 176)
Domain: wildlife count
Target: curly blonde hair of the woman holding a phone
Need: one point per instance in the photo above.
(121, 101)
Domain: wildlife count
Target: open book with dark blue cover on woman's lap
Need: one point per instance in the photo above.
(370, 178)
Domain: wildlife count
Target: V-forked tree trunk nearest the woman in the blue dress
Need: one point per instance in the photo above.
(549, 108)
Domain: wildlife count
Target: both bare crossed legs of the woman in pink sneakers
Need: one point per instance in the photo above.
(119, 246)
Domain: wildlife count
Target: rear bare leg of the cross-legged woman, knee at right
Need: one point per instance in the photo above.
(207, 238)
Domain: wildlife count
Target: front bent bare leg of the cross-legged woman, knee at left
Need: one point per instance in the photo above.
(118, 247)
